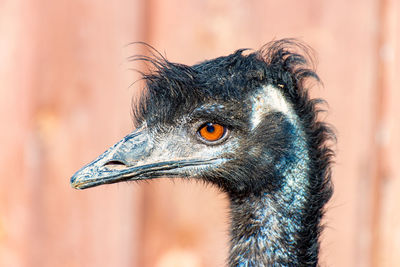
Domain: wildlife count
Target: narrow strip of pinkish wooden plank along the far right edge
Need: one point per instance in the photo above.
(386, 213)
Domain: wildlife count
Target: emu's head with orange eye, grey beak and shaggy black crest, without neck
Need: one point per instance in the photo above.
(228, 121)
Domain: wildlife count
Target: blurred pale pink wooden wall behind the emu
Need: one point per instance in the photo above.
(66, 94)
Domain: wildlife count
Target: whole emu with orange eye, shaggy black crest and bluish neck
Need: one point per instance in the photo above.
(245, 123)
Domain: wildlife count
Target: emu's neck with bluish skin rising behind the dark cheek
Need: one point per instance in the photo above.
(281, 227)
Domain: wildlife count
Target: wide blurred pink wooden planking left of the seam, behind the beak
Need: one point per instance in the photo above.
(65, 100)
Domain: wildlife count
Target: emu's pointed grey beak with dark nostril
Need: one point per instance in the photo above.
(129, 159)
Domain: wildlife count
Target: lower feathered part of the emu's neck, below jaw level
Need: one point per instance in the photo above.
(268, 232)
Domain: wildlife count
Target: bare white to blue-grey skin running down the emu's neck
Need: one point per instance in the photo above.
(268, 216)
